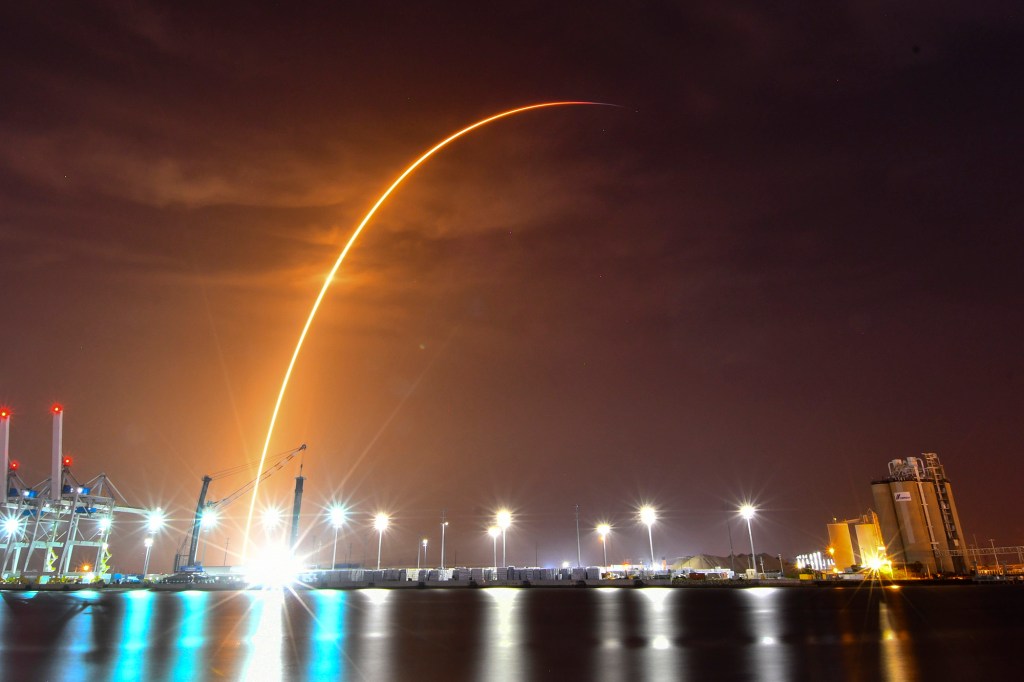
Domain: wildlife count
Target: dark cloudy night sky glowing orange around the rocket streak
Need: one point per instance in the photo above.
(791, 254)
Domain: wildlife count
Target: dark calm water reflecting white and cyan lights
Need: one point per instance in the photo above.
(960, 633)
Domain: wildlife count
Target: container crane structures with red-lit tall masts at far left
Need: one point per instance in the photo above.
(59, 529)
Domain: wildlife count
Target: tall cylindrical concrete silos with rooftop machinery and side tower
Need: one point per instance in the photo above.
(918, 518)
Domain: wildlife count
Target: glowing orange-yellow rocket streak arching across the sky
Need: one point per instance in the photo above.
(342, 258)
